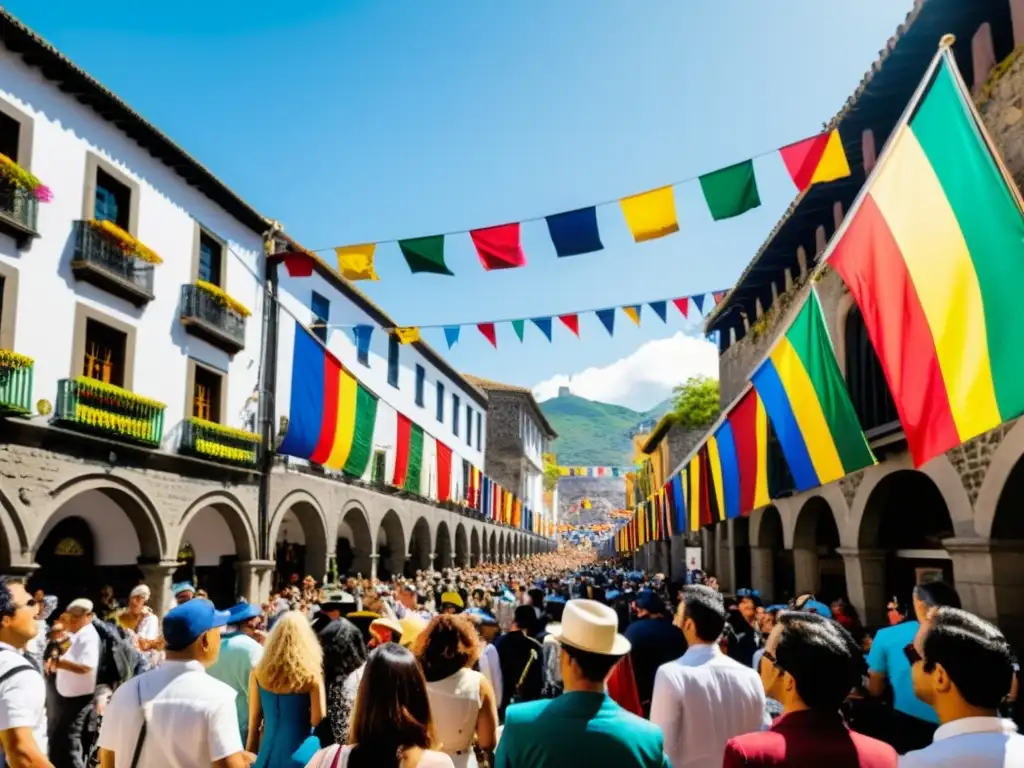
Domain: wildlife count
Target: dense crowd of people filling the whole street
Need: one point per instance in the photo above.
(554, 661)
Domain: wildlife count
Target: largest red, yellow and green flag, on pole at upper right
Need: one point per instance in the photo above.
(934, 257)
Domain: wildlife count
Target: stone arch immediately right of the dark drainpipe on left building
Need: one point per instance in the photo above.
(306, 519)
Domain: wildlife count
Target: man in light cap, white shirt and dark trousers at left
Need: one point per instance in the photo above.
(76, 682)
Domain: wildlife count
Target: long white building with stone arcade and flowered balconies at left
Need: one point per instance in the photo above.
(131, 349)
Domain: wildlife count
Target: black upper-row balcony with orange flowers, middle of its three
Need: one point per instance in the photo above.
(112, 264)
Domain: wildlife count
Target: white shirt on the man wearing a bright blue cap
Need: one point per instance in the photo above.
(191, 716)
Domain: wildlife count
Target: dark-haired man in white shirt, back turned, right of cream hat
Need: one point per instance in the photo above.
(705, 699)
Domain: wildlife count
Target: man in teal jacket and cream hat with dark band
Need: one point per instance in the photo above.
(583, 727)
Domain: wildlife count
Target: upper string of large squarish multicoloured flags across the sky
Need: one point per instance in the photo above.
(729, 193)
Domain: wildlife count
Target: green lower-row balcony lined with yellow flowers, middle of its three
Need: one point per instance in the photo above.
(109, 411)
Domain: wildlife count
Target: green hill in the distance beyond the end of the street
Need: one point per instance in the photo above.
(593, 434)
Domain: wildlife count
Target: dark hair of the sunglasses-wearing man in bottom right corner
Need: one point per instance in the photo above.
(973, 653)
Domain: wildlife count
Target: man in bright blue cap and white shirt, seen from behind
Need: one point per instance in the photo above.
(154, 719)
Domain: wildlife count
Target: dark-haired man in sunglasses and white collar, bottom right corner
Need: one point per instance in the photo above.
(963, 668)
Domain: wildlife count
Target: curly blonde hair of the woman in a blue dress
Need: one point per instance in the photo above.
(292, 660)
